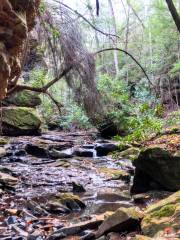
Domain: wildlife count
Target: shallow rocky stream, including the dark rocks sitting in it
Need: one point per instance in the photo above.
(50, 165)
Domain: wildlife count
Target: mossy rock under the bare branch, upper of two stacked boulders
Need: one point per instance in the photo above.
(24, 99)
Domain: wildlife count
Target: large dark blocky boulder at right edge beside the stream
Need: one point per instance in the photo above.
(156, 169)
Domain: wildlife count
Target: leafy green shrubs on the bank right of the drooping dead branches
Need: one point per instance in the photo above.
(133, 116)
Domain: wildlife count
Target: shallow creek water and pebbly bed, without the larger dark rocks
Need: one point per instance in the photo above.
(41, 177)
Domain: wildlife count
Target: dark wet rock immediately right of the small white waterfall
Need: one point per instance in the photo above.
(105, 148)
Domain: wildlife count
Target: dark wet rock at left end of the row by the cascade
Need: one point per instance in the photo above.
(39, 151)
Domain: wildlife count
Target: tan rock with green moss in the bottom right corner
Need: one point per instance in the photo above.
(161, 215)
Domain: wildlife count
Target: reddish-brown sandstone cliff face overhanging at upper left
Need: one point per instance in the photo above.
(17, 18)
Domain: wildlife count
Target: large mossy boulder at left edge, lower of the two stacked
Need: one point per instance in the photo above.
(20, 121)
